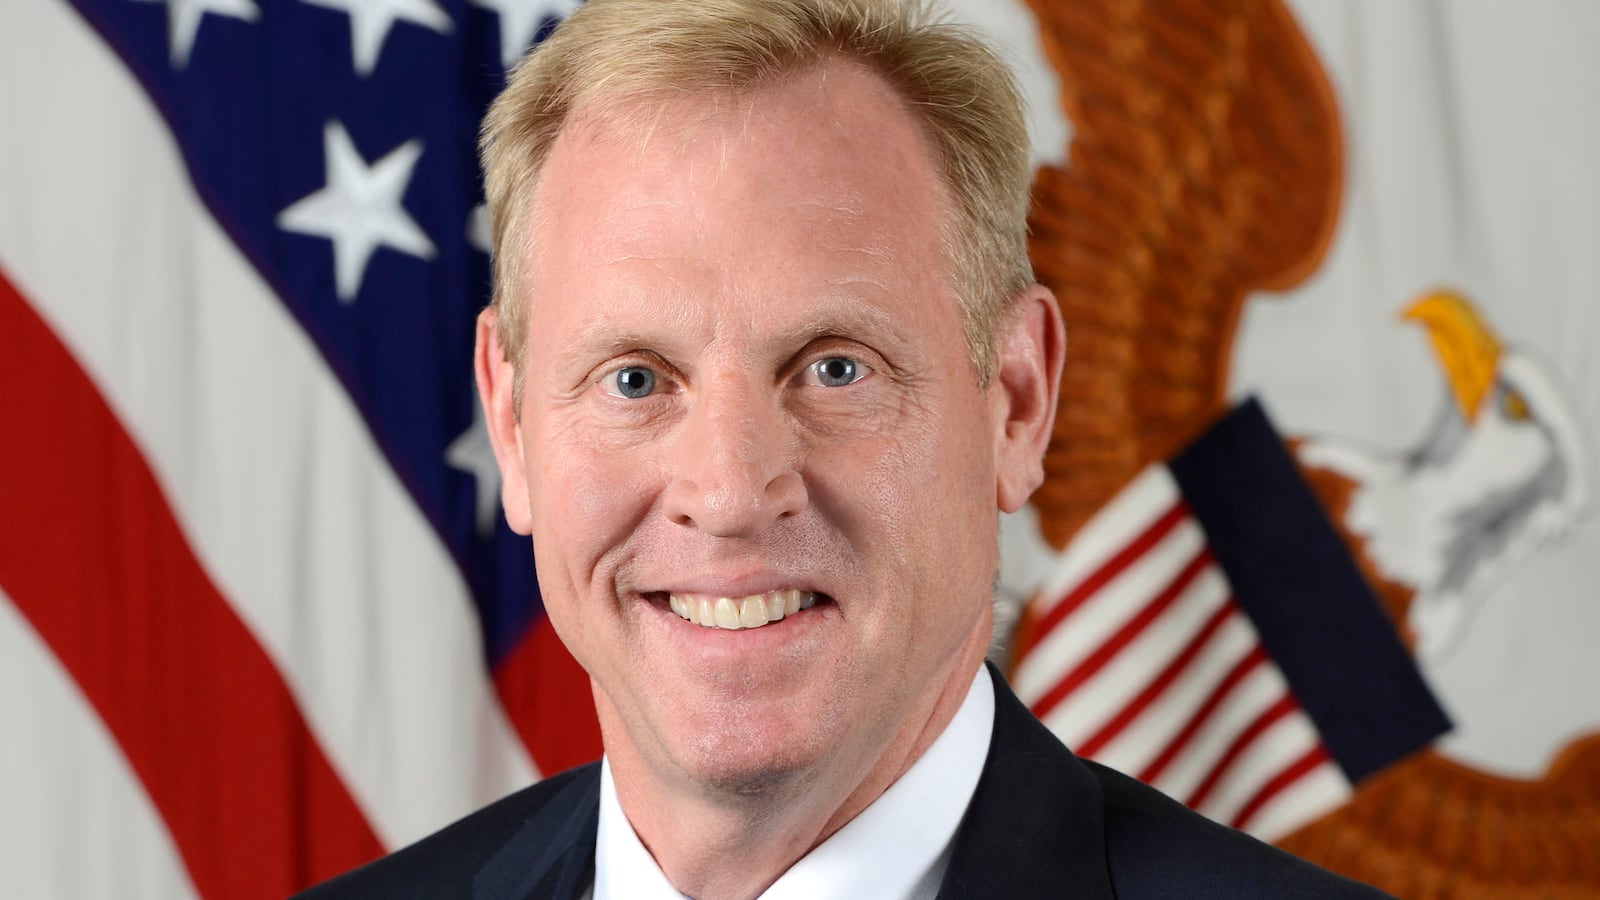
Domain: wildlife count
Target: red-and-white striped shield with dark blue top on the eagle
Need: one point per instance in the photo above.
(1209, 633)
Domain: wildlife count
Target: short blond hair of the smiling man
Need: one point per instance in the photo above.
(622, 52)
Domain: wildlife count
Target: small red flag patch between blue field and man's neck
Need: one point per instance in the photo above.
(548, 699)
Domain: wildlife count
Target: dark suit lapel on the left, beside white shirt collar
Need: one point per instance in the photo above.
(553, 856)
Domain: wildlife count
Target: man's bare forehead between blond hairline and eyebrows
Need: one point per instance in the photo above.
(826, 166)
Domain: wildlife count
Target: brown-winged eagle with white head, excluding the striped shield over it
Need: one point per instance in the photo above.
(1206, 172)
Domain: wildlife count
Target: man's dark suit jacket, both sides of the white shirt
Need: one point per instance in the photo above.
(1042, 824)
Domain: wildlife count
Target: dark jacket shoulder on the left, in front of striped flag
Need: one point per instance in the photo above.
(447, 862)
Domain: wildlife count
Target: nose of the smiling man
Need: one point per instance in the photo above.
(735, 472)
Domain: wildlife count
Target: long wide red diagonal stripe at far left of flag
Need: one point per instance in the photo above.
(97, 563)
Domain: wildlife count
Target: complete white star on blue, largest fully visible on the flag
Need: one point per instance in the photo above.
(359, 211)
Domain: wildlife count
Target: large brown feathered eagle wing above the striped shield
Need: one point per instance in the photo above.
(1206, 164)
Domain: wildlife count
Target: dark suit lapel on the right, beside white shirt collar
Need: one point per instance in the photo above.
(1036, 822)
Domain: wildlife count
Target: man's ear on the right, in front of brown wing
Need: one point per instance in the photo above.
(1031, 347)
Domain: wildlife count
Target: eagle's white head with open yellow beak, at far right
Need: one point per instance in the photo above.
(1505, 468)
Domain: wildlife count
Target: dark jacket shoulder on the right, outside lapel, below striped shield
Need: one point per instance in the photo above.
(1159, 848)
